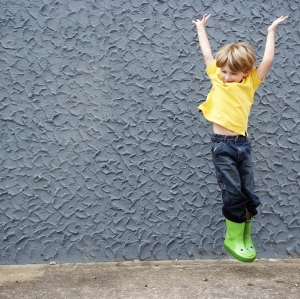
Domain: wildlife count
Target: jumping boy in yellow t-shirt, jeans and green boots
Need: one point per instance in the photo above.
(227, 106)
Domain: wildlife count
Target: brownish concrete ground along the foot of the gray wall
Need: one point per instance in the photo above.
(168, 280)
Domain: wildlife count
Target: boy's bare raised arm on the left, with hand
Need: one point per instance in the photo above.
(203, 39)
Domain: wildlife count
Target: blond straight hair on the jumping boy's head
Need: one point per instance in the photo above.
(239, 57)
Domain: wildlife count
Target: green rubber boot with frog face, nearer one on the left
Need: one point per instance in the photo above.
(234, 242)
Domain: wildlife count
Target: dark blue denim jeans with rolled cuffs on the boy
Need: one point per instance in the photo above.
(234, 172)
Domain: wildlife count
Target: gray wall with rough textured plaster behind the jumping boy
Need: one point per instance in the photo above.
(104, 156)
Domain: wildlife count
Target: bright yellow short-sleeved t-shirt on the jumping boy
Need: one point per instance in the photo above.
(229, 104)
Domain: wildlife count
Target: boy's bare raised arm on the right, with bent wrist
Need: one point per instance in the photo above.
(267, 60)
